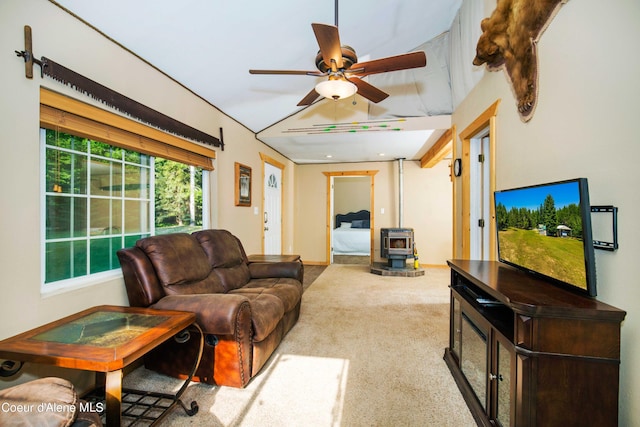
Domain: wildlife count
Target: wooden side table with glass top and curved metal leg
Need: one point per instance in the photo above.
(104, 339)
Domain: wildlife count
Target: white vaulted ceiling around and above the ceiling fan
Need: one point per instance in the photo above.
(227, 38)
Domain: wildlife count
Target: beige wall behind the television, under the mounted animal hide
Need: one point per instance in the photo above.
(584, 126)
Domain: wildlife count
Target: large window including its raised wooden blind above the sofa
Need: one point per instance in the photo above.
(108, 181)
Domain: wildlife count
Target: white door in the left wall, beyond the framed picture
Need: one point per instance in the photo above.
(272, 215)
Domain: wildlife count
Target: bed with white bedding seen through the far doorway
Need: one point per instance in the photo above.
(352, 234)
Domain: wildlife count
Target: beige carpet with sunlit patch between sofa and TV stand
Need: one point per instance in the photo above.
(367, 351)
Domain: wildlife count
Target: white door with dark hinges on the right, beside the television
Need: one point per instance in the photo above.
(480, 198)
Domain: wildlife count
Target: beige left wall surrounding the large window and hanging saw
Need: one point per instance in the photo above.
(66, 40)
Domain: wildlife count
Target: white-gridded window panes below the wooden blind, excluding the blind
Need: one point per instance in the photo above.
(99, 198)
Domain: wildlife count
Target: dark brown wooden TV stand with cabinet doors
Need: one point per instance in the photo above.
(539, 356)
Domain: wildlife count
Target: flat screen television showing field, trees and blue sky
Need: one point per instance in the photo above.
(545, 230)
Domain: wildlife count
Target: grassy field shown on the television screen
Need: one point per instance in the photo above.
(562, 258)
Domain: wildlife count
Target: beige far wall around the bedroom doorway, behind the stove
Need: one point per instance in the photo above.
(427, 207)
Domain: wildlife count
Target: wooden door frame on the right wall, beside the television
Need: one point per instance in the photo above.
(484, 120)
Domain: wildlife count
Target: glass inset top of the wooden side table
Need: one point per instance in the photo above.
(102, 329)
